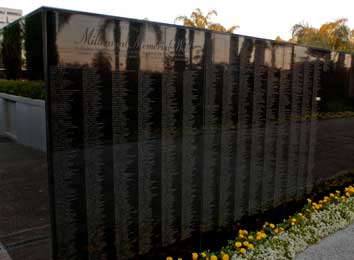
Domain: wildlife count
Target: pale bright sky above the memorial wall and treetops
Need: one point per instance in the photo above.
(259, 18)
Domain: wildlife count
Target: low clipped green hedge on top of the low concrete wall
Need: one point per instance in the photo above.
(31, 89)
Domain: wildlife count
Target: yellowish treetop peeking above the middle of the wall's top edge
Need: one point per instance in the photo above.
(197, 19)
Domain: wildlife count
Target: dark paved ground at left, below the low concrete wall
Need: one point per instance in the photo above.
(24, 213)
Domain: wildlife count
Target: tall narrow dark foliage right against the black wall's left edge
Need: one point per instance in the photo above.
(34, 46)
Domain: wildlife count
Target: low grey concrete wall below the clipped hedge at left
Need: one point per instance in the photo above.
(23, 119)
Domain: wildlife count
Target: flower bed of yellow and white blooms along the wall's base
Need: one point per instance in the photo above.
(320, 217)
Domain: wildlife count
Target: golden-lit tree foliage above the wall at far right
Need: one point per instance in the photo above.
(334, 35)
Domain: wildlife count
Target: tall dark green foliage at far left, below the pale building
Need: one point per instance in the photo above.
(11, 50)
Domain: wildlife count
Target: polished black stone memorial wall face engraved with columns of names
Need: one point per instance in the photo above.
(159, 132)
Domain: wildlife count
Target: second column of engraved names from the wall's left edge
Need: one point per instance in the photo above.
(94, 153)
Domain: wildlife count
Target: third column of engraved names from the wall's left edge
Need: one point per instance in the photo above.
(125, 161)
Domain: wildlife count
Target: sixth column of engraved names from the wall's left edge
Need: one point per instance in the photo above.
(191, 151)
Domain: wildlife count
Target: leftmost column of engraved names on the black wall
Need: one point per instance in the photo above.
(67, 168)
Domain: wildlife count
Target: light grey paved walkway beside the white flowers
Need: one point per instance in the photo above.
(339, 246)
